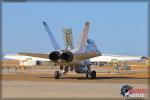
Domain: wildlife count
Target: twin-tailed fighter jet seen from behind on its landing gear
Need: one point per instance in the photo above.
(76, 59)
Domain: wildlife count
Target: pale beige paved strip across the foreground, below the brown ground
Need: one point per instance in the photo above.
(30, 89)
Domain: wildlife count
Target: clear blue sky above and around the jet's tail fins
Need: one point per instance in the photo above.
(119, 28)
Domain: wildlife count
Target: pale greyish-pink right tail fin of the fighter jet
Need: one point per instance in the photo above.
(83, 39)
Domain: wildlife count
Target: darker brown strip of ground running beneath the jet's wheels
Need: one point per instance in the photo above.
(110, 78)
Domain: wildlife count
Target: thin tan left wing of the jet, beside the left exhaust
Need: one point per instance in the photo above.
(39, 55)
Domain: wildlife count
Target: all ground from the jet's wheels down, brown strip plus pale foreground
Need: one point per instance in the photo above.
(69, 86)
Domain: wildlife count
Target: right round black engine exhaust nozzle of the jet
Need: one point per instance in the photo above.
(67, 56)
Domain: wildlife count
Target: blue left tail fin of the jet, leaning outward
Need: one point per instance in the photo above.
(52, 39)
